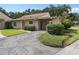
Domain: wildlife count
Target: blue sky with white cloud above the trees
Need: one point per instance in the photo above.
(22, 7)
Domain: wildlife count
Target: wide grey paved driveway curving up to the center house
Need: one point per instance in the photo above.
(25, 44)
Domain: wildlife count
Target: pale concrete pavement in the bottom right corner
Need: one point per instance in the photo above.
(70, 50)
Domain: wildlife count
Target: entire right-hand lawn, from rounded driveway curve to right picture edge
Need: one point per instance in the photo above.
(60, 40)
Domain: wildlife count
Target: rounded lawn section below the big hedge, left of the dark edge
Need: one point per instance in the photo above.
(52, 40)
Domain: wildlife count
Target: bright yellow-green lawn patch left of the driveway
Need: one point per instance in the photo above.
(11, 32)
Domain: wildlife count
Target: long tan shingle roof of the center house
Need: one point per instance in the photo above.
(44, 15)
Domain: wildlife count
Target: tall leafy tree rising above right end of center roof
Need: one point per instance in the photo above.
(57, 10)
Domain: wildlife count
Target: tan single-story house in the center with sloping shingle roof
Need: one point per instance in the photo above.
(39, 20)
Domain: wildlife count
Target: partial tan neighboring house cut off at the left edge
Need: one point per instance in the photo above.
(3, 19)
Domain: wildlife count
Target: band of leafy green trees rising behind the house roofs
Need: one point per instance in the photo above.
(53, 10)
